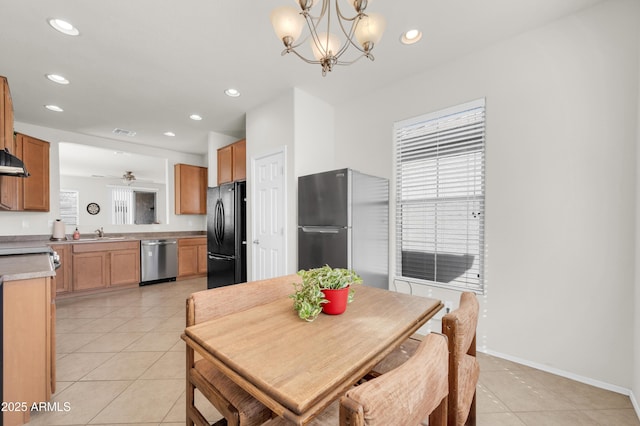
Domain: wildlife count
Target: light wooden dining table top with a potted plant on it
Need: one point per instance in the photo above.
(297, 368)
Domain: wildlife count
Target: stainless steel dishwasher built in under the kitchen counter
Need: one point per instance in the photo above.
(158, 260)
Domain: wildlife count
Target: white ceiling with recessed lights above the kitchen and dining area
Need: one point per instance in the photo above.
(146, 65)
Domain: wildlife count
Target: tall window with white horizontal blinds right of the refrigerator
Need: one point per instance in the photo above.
(440, 198)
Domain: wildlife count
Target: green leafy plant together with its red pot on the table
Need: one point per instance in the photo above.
(324, 289)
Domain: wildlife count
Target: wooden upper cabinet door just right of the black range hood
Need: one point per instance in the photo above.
(33, 192)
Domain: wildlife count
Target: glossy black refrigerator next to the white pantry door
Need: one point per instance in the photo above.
(226, 234)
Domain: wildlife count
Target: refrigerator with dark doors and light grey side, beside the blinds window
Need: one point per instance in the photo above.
(343, 221)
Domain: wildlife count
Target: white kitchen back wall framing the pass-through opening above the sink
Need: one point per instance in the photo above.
(32, 223)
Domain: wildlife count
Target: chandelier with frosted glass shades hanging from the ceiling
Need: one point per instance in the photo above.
(362, 31)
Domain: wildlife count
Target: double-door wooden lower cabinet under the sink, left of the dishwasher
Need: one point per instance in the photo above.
(104, 265)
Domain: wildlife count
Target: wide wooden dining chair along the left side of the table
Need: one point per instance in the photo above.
(237, 406)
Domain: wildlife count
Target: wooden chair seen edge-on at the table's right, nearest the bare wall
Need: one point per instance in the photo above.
(464, 370)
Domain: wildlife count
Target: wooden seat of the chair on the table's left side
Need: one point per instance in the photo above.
(248, 407)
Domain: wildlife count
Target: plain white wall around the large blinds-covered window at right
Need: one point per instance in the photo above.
(560, 188)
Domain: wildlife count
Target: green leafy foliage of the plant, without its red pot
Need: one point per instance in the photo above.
(308, 297)
